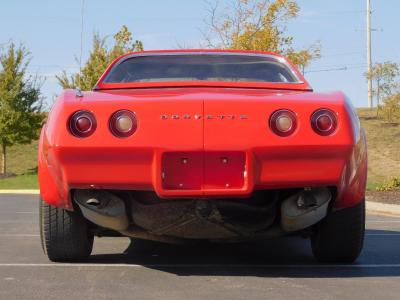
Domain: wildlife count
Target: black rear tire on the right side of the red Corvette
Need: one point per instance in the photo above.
(340, 236)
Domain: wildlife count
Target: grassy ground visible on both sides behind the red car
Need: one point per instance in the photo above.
(383, 155)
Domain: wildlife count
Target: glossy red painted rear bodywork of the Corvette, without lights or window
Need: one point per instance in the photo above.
(137, 162)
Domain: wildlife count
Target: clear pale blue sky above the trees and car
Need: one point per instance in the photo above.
(51, 30)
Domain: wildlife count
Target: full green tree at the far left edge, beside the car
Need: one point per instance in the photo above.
(20, 101)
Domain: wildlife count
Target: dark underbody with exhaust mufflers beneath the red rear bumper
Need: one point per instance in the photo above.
(266, 214)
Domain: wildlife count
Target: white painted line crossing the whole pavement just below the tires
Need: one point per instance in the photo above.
(258, 266)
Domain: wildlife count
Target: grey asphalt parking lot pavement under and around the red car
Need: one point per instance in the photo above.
(278, 269)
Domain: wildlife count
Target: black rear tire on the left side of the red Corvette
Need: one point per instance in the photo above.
(64, 234)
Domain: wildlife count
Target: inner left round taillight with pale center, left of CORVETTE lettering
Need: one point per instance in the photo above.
(123, 123)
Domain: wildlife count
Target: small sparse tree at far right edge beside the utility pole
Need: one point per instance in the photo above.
(384, 77)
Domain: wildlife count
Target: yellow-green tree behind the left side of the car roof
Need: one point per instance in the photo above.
(99, 59)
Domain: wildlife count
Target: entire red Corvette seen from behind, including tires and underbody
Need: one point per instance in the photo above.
(188, 145)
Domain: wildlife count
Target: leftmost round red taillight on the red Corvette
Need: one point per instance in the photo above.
(82, 123)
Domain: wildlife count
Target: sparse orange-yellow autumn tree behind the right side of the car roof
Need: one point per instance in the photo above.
(257, 25)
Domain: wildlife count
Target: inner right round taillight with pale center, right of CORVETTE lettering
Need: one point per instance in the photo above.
(283, 122)
